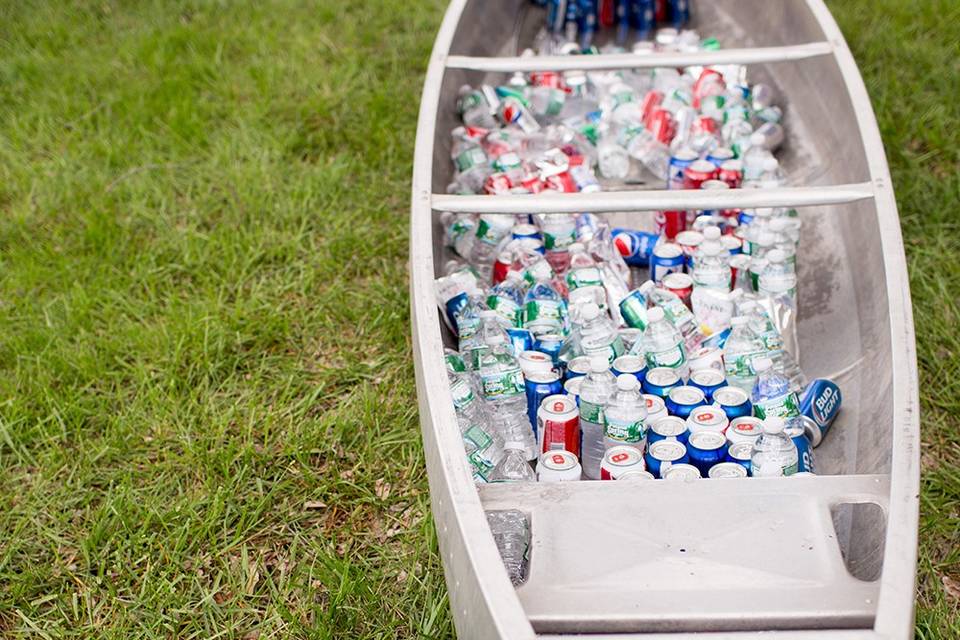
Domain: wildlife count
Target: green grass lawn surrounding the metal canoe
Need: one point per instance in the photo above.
(208, 425)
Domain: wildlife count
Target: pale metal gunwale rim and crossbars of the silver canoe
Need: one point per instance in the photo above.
(483, 602)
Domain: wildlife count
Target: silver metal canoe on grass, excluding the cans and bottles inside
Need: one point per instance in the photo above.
(826, 556)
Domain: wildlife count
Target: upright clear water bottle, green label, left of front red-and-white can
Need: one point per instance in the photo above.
(502, 386)
